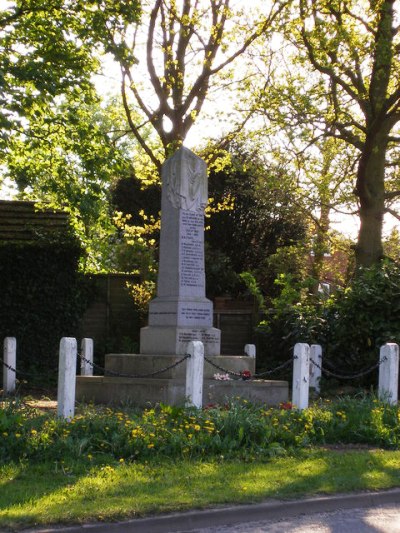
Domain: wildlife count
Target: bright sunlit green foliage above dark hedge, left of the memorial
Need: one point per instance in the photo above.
(68, 159)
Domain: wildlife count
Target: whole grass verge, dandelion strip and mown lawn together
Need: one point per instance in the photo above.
(109, 464)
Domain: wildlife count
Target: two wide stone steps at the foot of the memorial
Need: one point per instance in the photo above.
(169, 387)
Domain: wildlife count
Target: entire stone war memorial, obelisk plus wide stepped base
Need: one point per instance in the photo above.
(180, 313)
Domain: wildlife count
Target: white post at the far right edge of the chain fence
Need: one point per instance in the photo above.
(389, 372)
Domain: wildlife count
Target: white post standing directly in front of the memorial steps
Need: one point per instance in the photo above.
(194, 374)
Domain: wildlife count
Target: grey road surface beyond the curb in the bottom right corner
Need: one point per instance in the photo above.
(384, 519)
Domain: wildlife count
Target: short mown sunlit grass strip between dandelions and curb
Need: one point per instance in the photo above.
(47, 493)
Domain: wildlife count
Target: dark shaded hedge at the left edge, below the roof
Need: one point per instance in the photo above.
(43, 298)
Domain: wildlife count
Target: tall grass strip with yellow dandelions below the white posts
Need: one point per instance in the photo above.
(235, 430)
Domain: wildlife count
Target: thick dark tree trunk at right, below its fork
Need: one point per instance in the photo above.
(371, 192)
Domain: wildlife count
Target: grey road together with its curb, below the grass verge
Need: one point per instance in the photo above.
(367, 512)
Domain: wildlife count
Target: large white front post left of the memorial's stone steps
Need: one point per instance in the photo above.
(67, 378)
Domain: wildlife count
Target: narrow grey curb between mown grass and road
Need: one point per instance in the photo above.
(176, 522)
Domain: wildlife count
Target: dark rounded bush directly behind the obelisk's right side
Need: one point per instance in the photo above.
(264, 220)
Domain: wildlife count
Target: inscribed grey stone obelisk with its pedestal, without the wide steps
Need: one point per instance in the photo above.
(181, 312)
